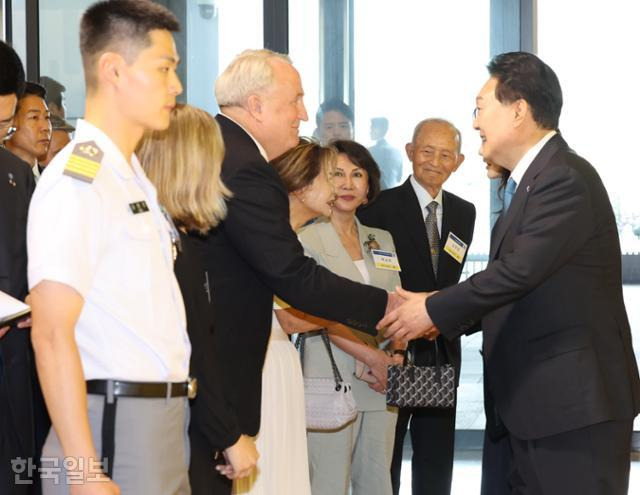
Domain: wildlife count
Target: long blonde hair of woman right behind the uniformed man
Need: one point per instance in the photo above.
(184, 163)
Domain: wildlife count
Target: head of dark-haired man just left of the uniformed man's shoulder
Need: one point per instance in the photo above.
(33, 127)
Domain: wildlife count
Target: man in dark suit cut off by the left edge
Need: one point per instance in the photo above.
(16, 367)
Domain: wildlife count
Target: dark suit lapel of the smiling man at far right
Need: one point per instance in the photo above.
(519, 199)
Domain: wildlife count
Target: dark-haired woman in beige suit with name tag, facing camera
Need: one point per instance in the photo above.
(358, 454)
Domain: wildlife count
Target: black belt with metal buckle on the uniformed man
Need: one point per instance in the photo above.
(146, 390)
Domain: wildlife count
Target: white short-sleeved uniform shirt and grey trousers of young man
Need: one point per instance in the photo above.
(132, 326)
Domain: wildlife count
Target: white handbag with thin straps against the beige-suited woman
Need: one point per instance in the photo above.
(329, 402)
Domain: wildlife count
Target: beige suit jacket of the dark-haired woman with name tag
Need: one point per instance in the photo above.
(322, 243)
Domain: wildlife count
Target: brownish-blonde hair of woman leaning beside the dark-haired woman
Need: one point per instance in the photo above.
(299, 166)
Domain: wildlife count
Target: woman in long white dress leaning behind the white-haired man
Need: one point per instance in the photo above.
(283, 467)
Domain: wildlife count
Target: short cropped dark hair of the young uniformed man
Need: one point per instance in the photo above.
(123, 22)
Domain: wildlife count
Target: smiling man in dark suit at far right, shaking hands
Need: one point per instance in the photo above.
(557, 344)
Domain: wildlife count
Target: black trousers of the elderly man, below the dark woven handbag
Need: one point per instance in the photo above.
(432, 437)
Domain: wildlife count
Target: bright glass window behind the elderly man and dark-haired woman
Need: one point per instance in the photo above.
(410, 62)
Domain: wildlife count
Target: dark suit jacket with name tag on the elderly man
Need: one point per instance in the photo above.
(398, 211)
